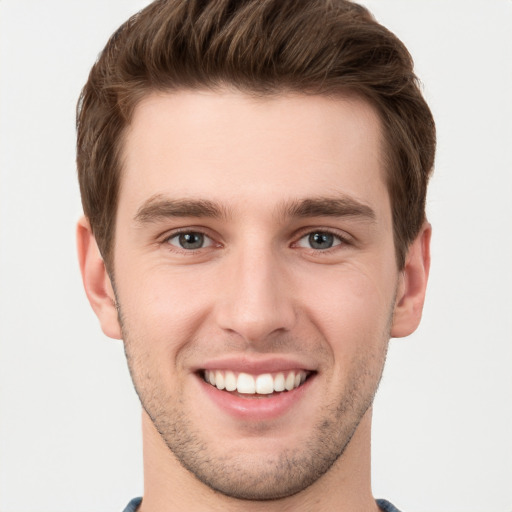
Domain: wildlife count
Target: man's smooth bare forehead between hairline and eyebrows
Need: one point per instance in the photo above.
(233, 148)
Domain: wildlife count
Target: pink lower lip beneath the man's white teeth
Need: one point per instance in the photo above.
(254, 408)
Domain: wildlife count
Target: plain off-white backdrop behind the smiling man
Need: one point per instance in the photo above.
(70, 437)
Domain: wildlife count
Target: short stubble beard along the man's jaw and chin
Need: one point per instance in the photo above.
(282, 475)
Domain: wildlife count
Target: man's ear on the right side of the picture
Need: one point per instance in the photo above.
(412, 285)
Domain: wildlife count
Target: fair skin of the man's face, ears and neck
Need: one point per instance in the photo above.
(255, 291)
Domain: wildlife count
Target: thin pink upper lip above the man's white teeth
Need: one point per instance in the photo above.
(256, 365)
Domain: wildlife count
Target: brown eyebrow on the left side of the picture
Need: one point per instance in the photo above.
(158, 208)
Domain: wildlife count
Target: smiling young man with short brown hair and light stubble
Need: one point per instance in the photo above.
(253, 176)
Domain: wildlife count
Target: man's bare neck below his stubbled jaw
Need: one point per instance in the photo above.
(168, 486)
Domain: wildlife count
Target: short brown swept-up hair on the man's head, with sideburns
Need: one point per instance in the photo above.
(261, 47)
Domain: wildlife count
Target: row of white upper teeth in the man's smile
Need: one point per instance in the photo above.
(264, 384)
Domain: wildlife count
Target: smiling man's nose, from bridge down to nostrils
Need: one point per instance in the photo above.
(255, 300)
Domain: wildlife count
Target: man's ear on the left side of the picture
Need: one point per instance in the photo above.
(96, 280)
